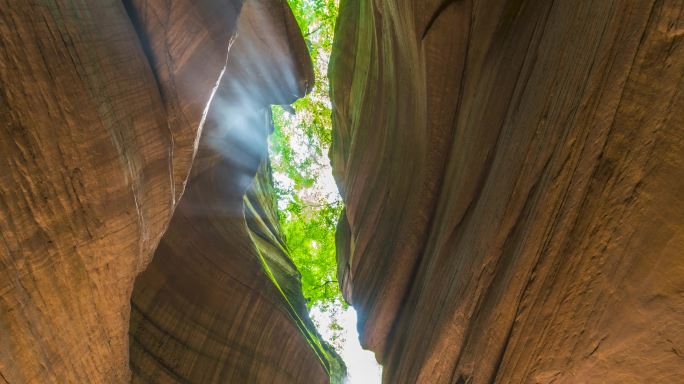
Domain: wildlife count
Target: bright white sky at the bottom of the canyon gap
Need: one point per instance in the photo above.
(361, 365)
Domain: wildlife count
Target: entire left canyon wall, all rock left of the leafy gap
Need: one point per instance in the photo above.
(102, 105)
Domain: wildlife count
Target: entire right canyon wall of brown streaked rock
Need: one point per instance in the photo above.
(513, 173)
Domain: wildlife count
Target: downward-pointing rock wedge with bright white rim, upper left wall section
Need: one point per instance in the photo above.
(186, 42)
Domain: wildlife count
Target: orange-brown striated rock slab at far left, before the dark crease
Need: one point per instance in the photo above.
(85, 189)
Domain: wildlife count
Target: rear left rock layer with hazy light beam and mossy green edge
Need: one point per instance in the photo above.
(221, 301)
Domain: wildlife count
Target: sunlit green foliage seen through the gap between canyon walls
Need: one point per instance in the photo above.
(299, 147)
